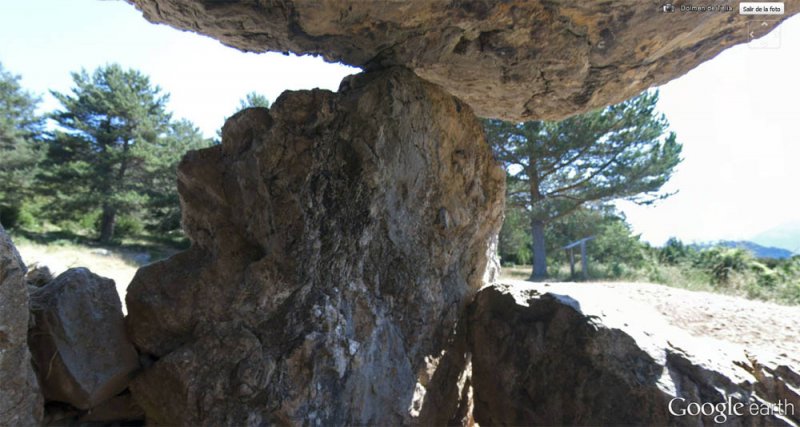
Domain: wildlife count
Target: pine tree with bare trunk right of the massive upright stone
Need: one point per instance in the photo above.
(619, 152)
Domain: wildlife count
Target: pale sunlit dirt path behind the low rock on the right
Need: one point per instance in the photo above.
(757, 326)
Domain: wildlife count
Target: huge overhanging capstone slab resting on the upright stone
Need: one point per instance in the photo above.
(517, 59)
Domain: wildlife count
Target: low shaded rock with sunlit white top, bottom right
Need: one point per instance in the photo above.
(542, 357)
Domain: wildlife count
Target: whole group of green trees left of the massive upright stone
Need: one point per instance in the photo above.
(108, 168)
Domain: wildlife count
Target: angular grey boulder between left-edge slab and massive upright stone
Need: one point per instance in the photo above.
(78, 341)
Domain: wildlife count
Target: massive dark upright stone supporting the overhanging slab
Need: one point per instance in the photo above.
(336, 238)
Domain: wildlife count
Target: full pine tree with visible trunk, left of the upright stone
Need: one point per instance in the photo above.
(110, 125)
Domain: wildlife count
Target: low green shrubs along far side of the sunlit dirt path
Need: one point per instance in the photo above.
(616, 254)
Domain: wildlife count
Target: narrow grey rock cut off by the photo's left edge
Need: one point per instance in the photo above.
(20, 400)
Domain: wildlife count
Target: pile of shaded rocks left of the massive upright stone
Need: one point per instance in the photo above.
(70, 332)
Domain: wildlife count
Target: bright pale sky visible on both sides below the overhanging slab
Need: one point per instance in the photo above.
(737, 115)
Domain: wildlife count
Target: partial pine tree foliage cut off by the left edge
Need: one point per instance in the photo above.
(20, 146)
